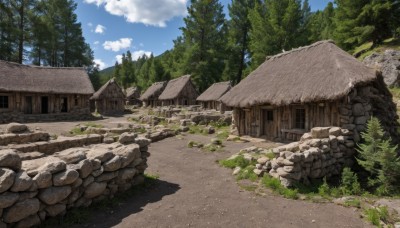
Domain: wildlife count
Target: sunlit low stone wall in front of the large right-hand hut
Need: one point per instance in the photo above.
(321, 153)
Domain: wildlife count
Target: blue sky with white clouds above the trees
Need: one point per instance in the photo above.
(112, 27)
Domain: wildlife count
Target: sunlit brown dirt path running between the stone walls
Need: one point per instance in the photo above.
(194, 191)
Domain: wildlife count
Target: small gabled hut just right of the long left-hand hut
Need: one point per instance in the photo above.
(109, 99)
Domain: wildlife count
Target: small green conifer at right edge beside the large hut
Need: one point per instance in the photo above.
(379, 158)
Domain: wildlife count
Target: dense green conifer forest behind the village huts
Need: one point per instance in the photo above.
(212, 47)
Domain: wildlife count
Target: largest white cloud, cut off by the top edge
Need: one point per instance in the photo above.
(148, 12)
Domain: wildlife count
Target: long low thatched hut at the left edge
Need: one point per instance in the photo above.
(33, 93)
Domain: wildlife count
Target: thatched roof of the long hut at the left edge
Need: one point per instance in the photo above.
(59, 80)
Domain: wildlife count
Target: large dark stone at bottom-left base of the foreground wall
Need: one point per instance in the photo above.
(21, 210)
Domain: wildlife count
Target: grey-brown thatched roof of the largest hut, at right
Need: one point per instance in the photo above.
(321, 71)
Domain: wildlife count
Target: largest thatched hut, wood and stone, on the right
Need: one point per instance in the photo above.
(314, 86)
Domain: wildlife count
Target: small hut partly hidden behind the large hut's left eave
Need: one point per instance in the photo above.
(210, 98)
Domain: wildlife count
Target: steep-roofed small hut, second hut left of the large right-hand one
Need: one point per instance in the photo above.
(179, 91)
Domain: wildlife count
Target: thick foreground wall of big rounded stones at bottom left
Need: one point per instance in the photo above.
(32, 190)
